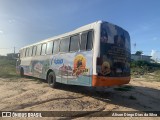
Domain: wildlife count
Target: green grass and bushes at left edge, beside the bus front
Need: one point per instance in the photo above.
(8, 68)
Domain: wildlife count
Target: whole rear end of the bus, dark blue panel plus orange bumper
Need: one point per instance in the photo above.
(113, 62)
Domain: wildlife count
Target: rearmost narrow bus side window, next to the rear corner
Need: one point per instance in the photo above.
(89, 40)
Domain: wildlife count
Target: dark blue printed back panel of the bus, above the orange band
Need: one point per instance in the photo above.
(115, 55)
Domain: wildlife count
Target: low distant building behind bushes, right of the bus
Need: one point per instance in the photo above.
(141, 57)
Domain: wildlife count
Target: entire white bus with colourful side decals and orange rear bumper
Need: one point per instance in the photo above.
(97, 54)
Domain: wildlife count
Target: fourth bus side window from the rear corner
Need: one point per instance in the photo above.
(64, 45)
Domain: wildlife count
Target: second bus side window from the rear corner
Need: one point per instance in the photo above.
(83, 41)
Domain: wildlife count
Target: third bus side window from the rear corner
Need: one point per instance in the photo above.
(74, 45)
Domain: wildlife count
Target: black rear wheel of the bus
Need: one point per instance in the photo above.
(52, 80)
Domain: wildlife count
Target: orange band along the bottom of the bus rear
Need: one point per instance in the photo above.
(109, 81)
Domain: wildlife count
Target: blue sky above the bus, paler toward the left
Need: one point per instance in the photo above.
(24, 22)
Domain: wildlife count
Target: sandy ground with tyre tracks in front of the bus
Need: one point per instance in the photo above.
(28, 94)
